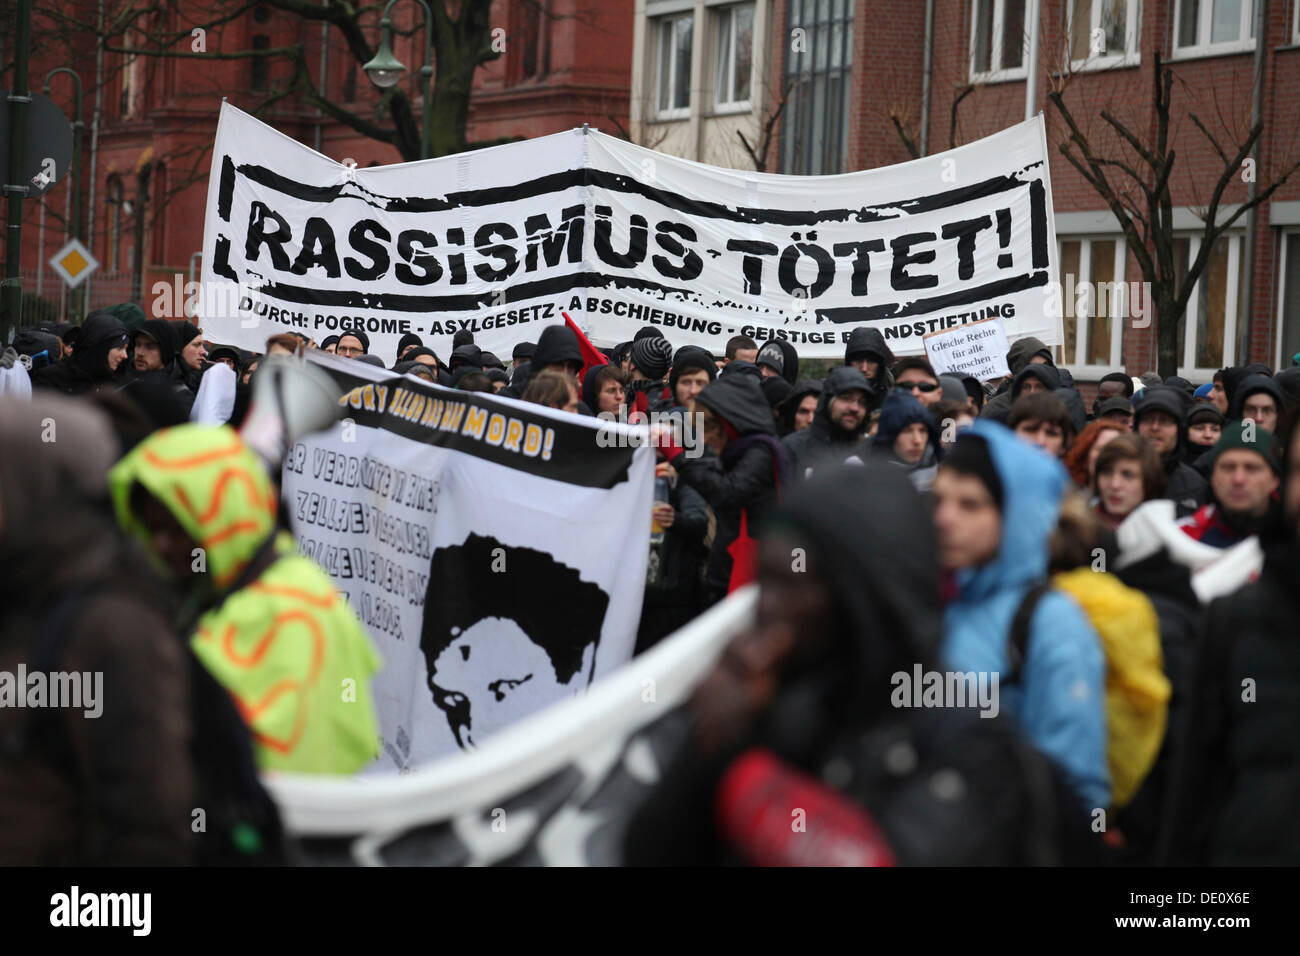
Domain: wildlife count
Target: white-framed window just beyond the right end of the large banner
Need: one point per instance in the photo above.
(1095, 299)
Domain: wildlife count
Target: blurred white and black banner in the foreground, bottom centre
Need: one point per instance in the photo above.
(557, 789)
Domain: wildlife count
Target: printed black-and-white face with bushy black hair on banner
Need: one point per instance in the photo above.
(506, 631)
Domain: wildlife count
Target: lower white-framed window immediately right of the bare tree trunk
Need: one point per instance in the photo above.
(1207, 338)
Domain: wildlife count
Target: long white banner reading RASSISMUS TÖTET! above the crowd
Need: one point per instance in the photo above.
(500, 241)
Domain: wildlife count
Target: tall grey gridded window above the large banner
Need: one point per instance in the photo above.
(818, 60)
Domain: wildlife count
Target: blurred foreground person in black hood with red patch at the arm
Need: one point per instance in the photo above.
(803, 712)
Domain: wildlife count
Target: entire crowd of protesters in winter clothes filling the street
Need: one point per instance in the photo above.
(1128, 574)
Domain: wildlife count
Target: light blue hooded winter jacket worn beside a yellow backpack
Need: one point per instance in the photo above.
(1060, 699)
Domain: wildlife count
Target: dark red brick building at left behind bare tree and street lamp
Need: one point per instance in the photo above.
(564, 63)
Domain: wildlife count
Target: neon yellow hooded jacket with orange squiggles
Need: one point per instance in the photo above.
(287, 647)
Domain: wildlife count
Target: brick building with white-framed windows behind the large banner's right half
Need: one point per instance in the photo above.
(864, 85)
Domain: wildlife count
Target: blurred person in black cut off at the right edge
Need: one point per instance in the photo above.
(1238, 781)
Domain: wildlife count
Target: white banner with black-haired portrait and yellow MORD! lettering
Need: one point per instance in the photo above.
(495, 550)
